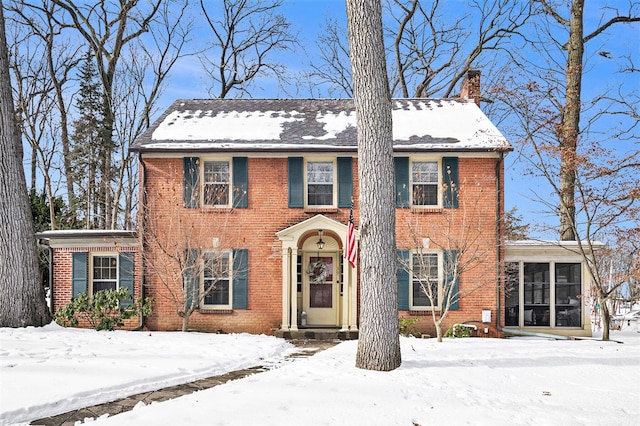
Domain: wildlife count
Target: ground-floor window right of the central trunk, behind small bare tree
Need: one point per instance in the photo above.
(424, 280)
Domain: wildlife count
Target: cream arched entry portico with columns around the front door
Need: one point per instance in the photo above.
(316, 280)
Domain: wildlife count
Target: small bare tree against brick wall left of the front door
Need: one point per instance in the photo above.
(191, 268)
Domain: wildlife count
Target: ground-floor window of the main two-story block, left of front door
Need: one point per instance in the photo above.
(216, 279)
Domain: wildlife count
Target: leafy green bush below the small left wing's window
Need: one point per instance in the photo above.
(104, 311)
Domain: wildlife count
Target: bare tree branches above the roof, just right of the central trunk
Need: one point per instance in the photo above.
(433, 51)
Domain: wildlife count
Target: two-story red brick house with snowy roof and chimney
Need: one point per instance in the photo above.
(246, 204)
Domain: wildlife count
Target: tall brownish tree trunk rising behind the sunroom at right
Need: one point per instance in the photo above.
(570, 124)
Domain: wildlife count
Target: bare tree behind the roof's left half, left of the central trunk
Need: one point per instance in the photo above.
(246, 38)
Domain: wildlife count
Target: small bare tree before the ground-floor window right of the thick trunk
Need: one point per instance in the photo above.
(460, 236)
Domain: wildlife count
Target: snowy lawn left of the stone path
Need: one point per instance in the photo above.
(52, 370)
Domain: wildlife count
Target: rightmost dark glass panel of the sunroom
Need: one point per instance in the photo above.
(568, 295)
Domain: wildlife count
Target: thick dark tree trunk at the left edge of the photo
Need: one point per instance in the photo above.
(22, 301)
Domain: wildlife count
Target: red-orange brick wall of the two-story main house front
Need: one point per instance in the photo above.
(254, 228)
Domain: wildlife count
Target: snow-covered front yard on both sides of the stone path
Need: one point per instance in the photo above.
(517, 381)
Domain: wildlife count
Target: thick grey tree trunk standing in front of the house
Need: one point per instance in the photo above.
(379, 342)
